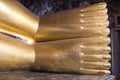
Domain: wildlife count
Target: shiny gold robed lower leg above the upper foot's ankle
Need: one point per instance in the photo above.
(16, 19)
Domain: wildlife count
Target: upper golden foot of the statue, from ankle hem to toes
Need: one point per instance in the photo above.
(88, 21)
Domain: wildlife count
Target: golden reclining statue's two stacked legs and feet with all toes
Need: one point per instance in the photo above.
(71, 41)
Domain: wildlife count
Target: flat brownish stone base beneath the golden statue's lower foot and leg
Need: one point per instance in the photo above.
(50, 76)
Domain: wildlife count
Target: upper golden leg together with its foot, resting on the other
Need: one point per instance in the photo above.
(17, 20)
